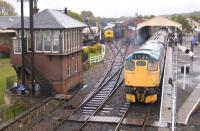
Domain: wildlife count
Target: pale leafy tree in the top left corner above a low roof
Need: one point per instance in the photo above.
(6, 8)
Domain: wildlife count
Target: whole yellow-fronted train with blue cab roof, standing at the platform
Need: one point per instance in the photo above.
(144, 68)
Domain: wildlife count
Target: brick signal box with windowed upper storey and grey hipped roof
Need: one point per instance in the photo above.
(58, 51)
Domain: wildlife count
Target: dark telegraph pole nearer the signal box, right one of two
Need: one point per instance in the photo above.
(32, 47)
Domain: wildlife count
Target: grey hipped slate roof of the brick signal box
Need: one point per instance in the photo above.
(51, 19)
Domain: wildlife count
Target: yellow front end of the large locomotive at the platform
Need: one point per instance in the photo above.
(142, 79)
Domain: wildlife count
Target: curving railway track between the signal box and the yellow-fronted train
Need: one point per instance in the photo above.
(98, 97)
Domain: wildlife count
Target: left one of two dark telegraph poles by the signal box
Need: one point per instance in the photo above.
(23, 44)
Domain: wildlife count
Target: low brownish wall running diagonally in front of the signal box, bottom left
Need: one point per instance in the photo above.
(28, 119)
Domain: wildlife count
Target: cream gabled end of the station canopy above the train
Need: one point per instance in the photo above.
(159, 21)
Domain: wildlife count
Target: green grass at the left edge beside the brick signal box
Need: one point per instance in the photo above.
(6, 70)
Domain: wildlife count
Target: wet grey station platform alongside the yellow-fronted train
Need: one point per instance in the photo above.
(187, 89)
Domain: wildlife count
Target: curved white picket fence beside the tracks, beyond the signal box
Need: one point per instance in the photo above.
(98, 58)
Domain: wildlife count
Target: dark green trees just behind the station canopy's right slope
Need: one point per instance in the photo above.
(182, 20)
